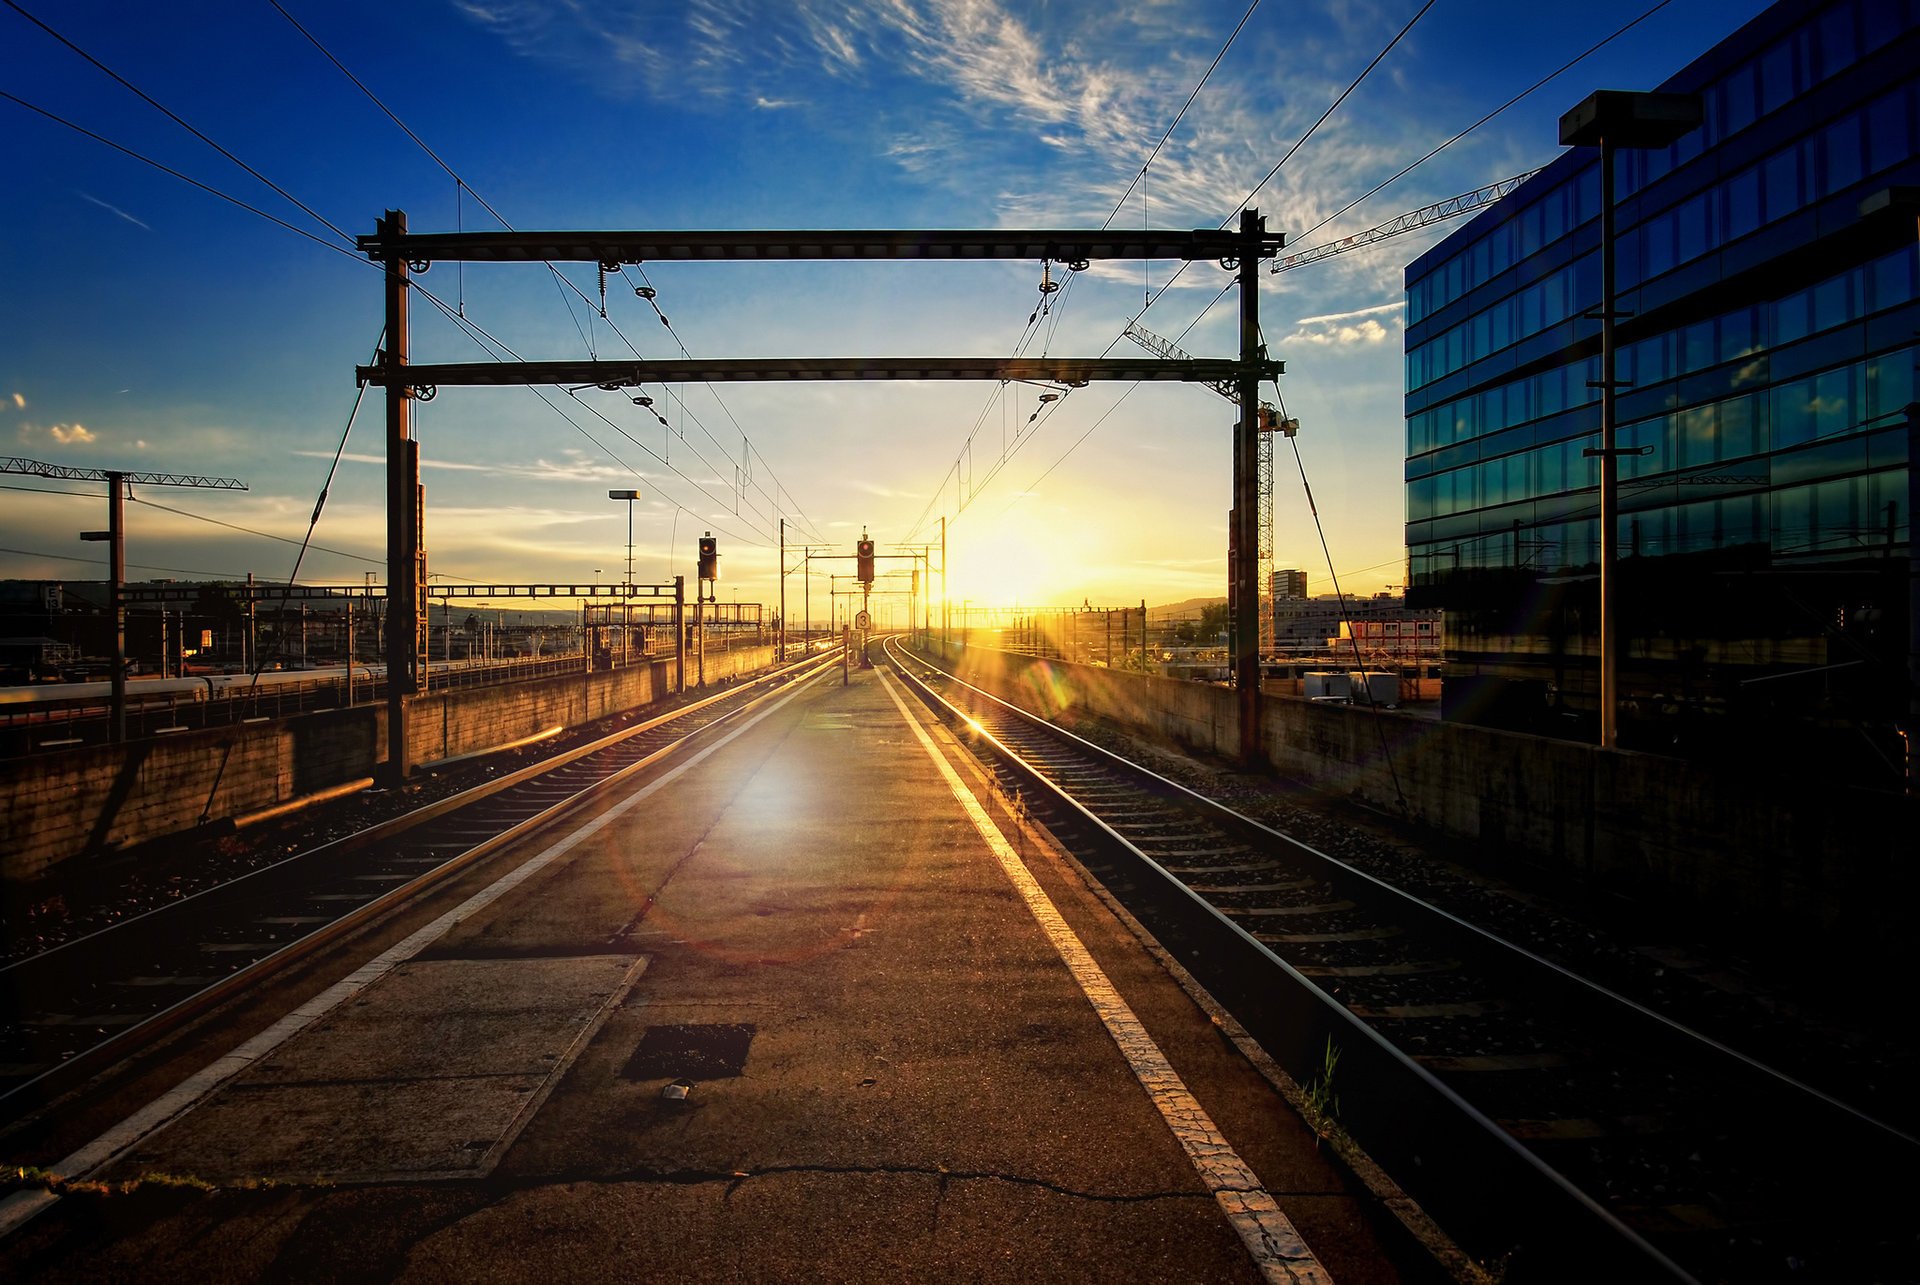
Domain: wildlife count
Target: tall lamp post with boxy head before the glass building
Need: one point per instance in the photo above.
(1614, 120)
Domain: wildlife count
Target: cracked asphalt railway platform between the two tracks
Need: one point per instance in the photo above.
(798, 1006)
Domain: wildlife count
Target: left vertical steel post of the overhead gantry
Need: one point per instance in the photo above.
(402, 479)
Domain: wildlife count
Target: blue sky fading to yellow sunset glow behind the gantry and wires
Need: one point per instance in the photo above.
(149, 326)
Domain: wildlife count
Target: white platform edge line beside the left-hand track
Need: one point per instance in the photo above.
(24, 1205)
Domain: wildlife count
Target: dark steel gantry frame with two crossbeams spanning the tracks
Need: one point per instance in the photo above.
(402, 253)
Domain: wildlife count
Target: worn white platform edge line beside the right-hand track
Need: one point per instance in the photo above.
(1251, 1209)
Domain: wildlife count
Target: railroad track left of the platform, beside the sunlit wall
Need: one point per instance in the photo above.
(74, 1009)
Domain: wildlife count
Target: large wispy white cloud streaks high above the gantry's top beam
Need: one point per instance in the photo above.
(1036, 112)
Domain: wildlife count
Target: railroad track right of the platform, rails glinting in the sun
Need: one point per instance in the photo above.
(1554, 1128)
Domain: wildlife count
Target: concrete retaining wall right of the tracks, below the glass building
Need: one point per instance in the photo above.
(1752, 858)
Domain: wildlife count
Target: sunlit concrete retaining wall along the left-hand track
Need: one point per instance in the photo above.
(103, 798)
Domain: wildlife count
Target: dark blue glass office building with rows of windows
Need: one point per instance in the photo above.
(1765, 356)
